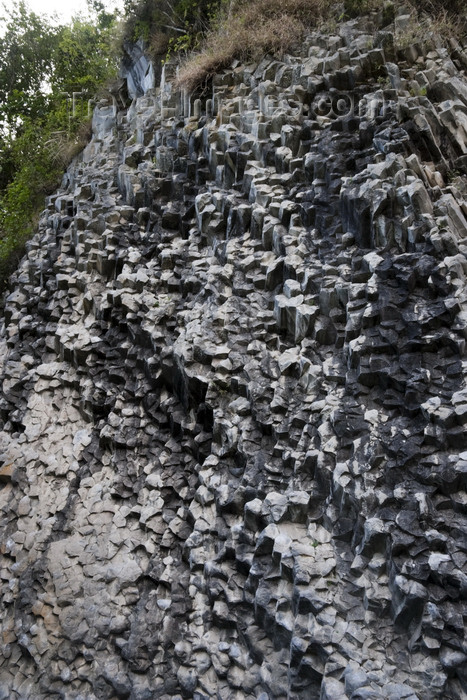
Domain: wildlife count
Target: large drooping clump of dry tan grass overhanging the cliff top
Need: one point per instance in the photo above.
(250, 31)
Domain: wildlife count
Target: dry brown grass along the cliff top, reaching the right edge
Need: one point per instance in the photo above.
(250, 29)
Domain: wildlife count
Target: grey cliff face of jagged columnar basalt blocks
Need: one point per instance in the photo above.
(234, 458)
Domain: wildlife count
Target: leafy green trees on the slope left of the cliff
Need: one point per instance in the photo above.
(48, 72)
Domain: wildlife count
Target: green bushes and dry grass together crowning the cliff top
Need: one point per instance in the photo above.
(208, 35)
